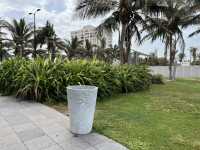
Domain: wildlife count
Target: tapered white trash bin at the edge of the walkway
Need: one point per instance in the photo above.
(81, 104)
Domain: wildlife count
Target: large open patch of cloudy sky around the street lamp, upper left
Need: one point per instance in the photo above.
(59, 12)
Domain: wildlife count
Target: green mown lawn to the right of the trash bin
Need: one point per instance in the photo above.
(167, 117)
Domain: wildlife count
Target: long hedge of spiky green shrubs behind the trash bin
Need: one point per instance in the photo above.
(43, 80)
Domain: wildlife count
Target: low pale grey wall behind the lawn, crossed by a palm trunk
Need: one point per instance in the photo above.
(181, 72)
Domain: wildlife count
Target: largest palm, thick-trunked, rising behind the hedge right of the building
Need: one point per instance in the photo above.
(126, 16)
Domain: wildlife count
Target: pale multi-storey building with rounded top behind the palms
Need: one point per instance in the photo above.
(90, 33)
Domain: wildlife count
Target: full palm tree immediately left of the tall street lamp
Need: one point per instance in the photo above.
(21, 35)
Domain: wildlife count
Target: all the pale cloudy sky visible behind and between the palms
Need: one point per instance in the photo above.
(62, 14)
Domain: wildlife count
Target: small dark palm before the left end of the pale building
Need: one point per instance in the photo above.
(73, 47)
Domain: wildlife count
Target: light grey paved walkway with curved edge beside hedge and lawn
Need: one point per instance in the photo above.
(33, 126)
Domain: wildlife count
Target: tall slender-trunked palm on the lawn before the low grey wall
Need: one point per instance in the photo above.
(168, 28)
